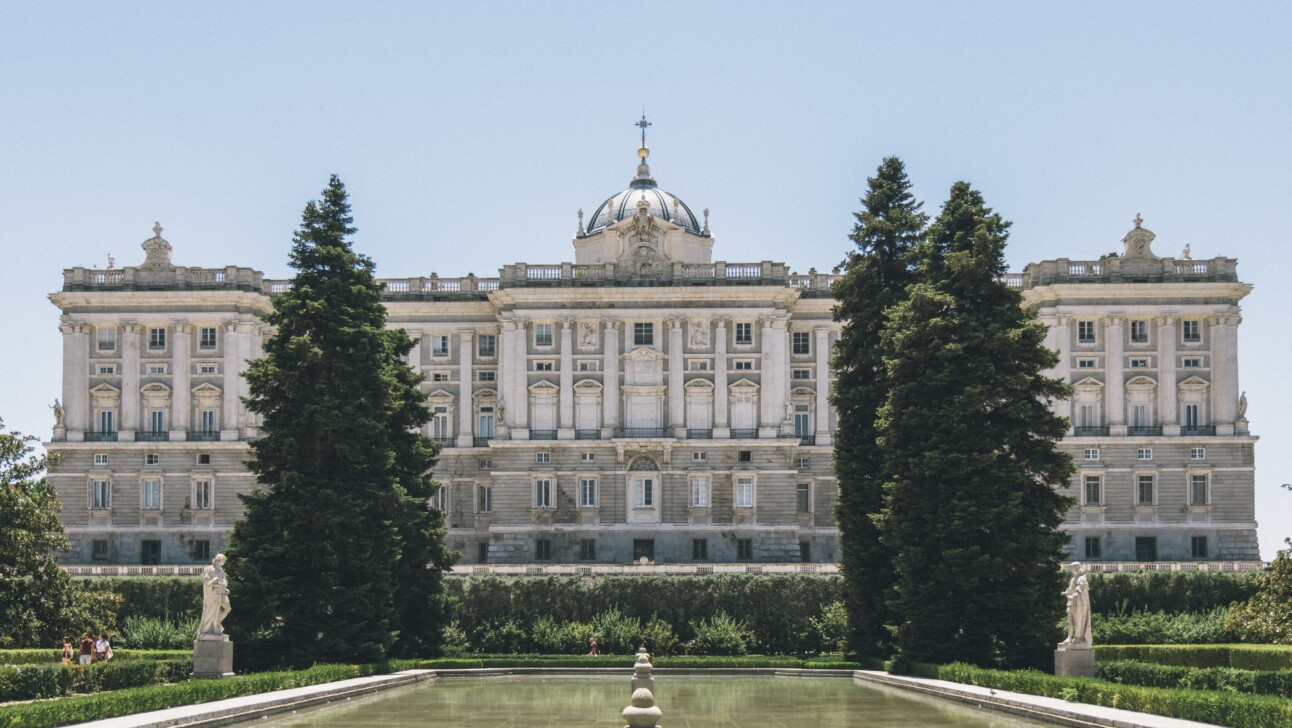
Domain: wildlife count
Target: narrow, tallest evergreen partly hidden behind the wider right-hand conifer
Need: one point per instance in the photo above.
(877, 276)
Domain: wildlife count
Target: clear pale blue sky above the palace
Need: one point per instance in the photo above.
(470, 134)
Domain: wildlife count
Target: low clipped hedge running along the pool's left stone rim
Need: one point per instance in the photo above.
(79, 709)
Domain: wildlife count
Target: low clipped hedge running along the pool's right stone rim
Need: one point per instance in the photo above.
(1209, 707)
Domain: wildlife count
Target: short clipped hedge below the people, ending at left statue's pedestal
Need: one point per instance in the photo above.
(33, 682)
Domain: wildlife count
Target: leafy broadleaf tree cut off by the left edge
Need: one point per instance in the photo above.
(39, 603)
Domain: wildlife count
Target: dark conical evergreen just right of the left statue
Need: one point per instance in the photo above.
(339, 533)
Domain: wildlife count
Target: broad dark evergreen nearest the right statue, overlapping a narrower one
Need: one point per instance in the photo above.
(971, 445)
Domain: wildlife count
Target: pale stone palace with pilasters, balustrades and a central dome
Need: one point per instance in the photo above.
(643, 401)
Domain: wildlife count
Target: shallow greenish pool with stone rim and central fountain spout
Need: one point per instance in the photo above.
(688, 701)
